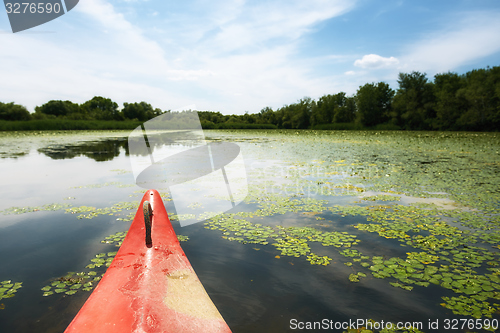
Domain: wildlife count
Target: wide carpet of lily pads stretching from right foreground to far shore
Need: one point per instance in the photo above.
(440, 252)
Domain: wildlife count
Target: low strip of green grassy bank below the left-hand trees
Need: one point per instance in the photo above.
(64, 124)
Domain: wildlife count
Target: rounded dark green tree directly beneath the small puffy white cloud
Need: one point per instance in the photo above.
(373, 103)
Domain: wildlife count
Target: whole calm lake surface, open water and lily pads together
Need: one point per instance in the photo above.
(337, 225)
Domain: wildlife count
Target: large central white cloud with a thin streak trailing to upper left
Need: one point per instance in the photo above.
(241, 55)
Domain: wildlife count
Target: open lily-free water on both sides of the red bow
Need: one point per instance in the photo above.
(254, 291)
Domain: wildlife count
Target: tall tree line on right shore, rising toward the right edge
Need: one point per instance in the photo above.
(451, 102)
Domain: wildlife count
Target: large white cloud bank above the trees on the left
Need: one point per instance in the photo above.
(116, 61)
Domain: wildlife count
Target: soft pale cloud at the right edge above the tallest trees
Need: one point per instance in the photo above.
(474, 36)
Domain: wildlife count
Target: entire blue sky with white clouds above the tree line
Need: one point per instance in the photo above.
(237, 56)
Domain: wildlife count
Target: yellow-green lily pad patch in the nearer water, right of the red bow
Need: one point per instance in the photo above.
(443, 254)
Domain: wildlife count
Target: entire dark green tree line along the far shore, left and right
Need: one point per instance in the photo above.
(450, 102)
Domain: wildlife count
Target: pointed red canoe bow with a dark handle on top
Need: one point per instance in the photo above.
(150, 286)
